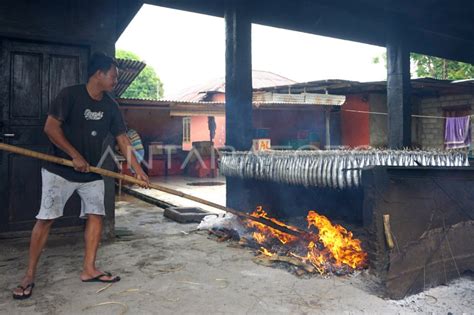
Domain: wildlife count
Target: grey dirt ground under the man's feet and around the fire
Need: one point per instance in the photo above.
(168, 268)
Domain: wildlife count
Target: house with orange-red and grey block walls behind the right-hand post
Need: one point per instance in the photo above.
(363, 116)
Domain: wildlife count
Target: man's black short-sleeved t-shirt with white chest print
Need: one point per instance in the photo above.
(85, 123)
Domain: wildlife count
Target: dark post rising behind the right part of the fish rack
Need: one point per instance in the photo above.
(398, 92)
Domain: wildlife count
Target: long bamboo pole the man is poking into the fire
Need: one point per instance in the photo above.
(46, 157)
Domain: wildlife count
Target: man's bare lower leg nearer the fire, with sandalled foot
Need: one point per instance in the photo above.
(92, 237)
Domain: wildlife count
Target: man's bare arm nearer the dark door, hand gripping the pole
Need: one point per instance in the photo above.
(55, 133)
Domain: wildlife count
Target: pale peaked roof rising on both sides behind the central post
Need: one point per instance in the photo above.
(201, 92)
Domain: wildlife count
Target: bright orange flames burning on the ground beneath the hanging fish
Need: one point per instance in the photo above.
(327, 247)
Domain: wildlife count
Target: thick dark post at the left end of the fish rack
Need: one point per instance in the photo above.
(238, 78)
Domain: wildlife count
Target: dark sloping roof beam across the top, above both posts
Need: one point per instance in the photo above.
(442, 28)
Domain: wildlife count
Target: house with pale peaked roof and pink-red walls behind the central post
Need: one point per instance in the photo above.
(283, 118)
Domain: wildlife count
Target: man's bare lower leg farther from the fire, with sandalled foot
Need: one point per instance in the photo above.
(39, 236)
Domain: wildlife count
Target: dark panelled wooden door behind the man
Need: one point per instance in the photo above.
(31, 75)
